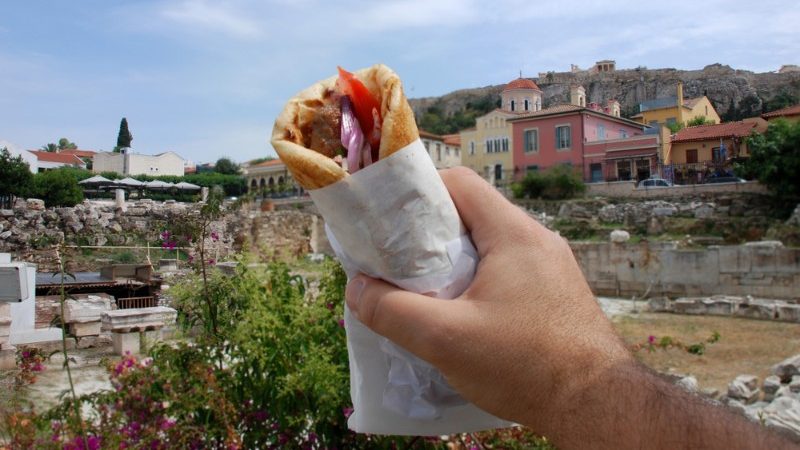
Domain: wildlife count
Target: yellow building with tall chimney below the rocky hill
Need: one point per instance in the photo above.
(666, 111)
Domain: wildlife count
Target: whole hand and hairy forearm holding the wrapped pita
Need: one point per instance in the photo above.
(527, 342)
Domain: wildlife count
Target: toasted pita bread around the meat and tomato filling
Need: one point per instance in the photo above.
(313, 170)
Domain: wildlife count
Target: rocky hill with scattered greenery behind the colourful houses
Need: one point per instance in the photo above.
(735, 93)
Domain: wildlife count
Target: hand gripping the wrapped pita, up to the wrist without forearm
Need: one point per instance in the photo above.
(528, 331)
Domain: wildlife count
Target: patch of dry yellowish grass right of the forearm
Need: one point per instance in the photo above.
(745, 347)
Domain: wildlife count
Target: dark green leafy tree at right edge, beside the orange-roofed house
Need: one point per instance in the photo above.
(775, 160)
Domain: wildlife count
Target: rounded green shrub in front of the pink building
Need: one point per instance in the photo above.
(558, 183)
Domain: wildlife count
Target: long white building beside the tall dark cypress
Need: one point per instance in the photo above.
(128, 163)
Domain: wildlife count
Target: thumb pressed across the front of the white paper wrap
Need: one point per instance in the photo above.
(413, 321)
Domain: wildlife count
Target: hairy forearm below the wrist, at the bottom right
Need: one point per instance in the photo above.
(631, 407)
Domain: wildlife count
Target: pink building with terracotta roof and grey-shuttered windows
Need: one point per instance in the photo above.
(562, 134)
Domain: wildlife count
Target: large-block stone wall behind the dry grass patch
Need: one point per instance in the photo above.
(766, 270)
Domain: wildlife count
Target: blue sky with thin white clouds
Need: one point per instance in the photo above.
(206, 79)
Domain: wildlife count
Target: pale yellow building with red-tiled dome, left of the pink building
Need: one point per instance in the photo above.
(487, 148)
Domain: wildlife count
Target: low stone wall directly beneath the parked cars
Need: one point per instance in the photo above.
(628, 189)
